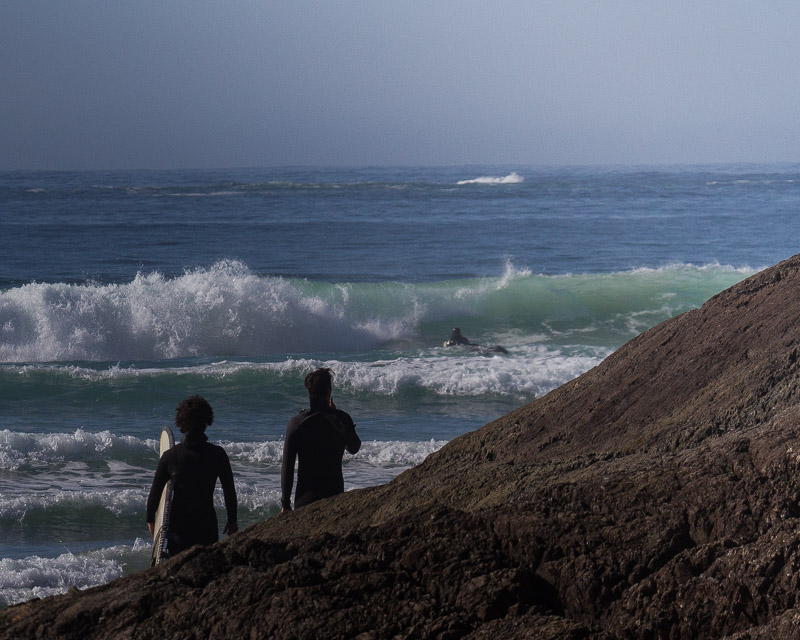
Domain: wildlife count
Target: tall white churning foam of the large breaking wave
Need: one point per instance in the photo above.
(221, 310)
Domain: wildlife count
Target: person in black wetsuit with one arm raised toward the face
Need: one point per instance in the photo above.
(317, 437)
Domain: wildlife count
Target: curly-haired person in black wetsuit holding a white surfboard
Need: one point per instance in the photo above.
(193, 465)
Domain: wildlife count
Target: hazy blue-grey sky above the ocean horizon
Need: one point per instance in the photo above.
(156, 84)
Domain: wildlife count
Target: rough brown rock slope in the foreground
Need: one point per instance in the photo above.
(655, 496)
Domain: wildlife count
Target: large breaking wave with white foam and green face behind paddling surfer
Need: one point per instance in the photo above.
(229, 311)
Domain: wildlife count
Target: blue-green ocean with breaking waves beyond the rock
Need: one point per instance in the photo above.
(123, 292)
